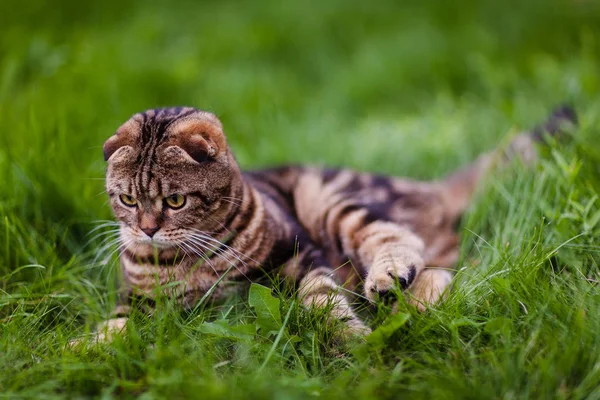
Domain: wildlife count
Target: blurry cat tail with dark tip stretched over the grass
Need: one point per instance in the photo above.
(461, 185)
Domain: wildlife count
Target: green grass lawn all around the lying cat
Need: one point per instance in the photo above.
(400, 88)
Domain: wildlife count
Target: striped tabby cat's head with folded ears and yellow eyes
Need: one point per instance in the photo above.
(170, 173)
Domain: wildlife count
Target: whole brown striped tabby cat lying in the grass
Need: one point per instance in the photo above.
(189, 216)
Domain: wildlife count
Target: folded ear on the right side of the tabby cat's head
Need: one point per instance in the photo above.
(201, 139)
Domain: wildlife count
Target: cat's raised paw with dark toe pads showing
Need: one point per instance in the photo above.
(392, 270)
